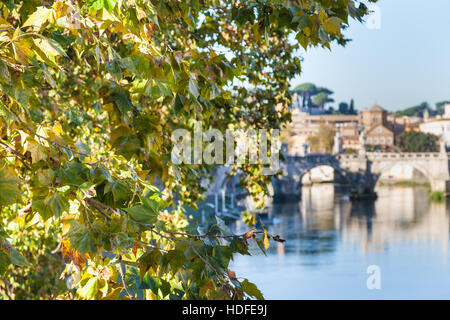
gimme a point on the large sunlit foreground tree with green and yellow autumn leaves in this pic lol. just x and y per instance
(90, 94)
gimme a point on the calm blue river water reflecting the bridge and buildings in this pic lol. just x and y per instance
(331, 243)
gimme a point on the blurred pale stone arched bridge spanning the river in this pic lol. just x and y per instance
(361, 171)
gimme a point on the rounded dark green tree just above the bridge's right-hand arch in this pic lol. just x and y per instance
(414, 141)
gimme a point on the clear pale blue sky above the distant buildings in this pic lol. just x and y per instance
(403, 63)
